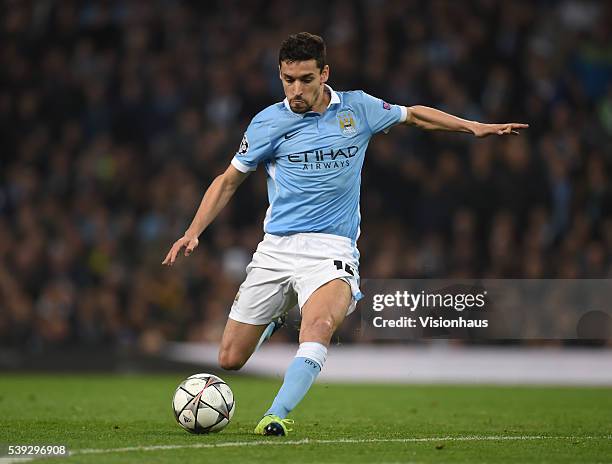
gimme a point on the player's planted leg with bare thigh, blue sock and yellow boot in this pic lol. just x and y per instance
(321, 316)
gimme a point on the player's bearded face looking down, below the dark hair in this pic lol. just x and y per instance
(303, 83)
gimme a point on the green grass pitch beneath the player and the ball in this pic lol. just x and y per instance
(110, 411)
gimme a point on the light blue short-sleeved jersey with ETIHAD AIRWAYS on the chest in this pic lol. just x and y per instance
(313, 161)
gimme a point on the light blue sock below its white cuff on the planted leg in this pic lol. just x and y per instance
(300, 375)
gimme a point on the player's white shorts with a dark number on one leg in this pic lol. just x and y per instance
(286, 271)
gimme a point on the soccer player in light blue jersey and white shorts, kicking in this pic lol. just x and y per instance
(312, 146)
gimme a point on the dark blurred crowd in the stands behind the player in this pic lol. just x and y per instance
(116, 115)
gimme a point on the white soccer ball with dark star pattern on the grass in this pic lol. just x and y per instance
(203, 403)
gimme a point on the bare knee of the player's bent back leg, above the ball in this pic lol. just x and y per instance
(238, 343)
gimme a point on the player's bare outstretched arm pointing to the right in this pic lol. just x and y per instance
(428, 118)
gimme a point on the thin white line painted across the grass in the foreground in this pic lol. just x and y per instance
(306, 441)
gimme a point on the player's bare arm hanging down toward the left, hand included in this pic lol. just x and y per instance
(214, 200)
